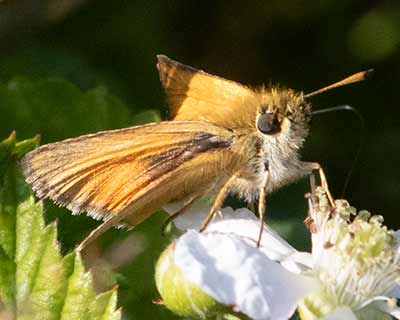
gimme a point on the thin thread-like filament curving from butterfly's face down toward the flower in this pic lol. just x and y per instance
(360, 142)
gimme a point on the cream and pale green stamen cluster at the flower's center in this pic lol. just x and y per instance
(356, 257)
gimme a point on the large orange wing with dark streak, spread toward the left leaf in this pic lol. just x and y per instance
(134, 170)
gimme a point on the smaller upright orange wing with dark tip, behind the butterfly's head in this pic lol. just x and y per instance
(195, 95)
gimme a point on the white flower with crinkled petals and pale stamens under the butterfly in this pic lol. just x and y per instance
(353, 271)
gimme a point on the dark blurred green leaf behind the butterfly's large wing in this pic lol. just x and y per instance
(57, 109)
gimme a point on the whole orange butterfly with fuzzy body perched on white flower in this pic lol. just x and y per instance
(222, 138)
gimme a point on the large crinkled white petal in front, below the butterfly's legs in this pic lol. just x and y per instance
(238, 274)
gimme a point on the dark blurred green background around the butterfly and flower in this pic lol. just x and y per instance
(69, 67)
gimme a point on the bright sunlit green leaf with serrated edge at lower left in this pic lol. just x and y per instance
(36, 282)
